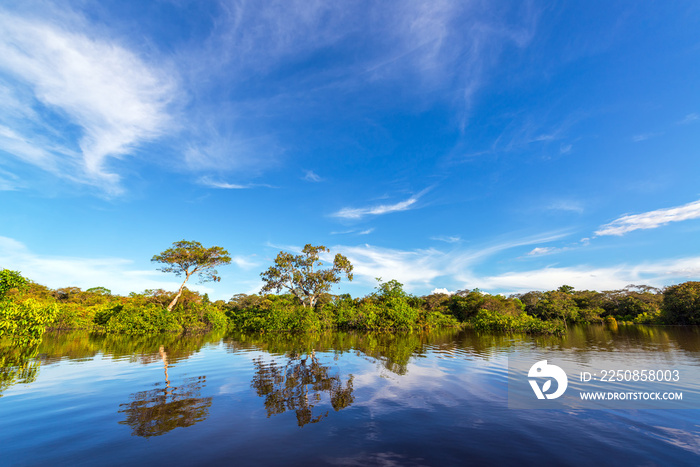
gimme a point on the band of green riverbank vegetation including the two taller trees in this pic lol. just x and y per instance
(27, 309)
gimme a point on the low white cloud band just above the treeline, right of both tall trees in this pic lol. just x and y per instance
(428, 269)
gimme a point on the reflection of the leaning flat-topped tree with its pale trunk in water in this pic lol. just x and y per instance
(158, 411)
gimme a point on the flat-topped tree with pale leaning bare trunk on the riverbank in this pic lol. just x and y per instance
(189, 258)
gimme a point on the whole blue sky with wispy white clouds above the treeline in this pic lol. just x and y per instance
(509, 146)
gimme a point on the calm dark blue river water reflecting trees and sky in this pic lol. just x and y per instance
(341, 399)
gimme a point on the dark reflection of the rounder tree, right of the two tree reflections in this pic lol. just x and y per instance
(299, 386)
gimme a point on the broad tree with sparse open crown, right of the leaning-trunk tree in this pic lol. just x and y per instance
(298, 274)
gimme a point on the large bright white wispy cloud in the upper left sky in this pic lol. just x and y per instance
(115, 98)
